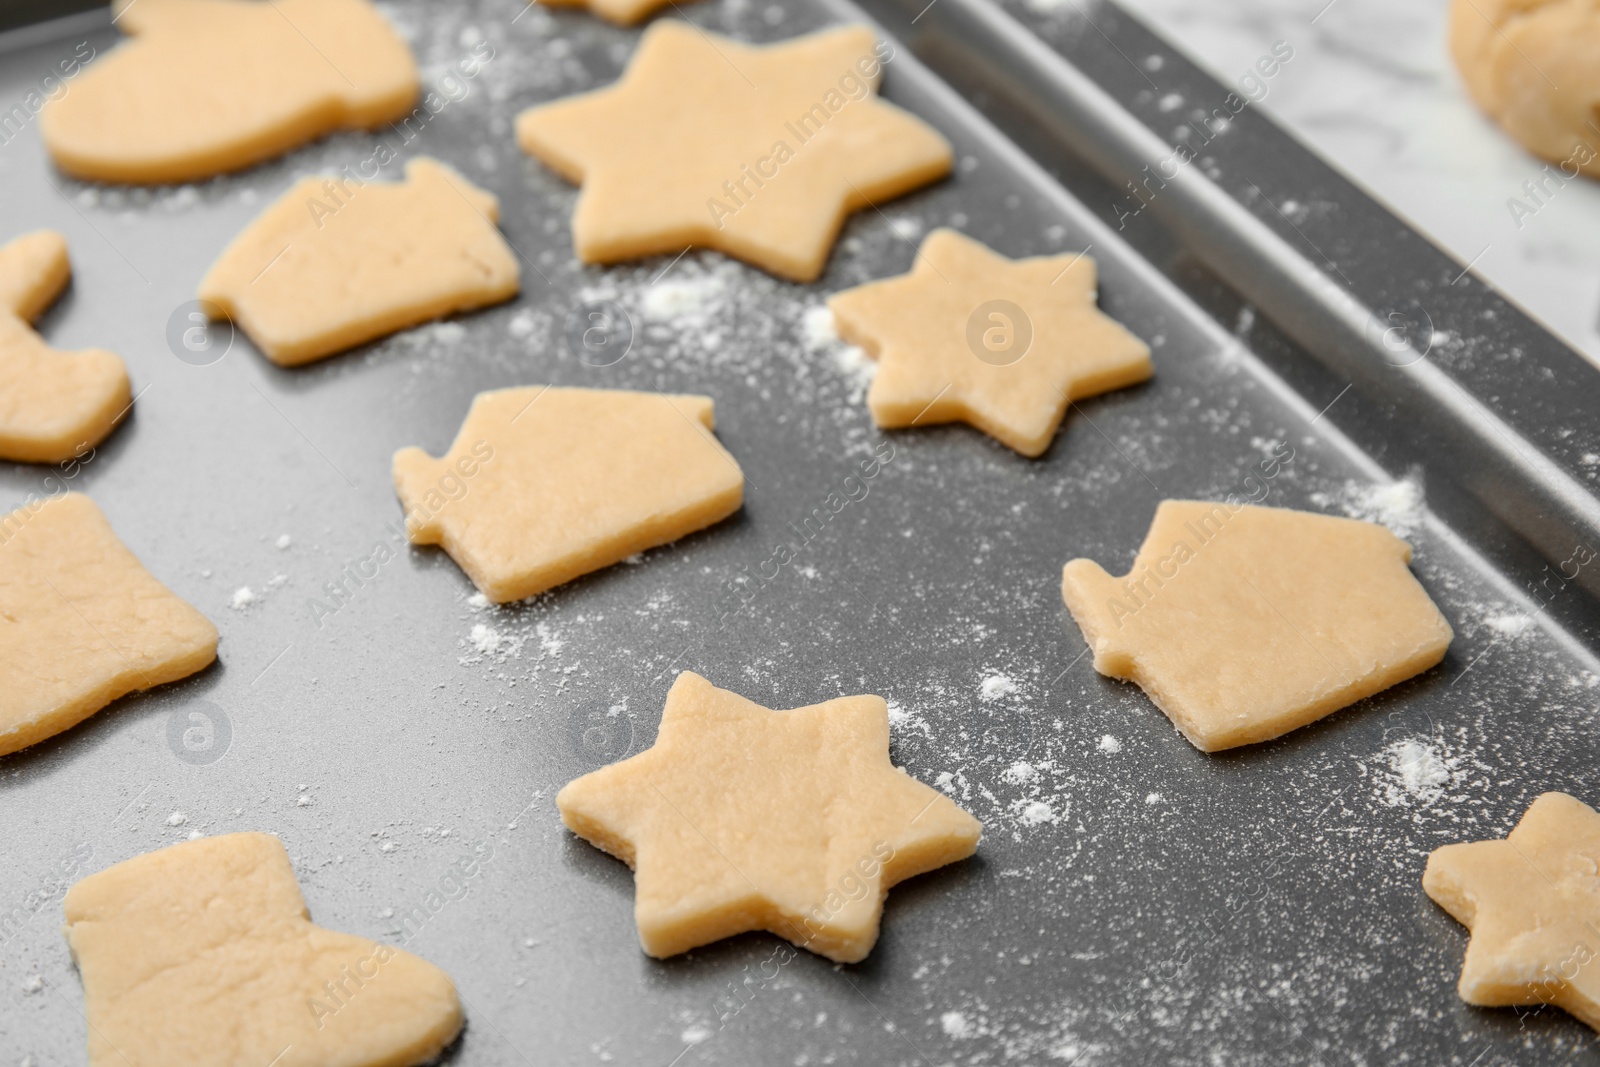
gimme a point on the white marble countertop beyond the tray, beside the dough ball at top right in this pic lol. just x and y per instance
(1374, 90)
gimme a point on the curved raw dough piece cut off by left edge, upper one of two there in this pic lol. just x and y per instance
(54, 406)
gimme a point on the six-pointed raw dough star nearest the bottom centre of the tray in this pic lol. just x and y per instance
(743, 818)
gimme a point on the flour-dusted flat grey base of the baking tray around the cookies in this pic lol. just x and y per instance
(1252, 908)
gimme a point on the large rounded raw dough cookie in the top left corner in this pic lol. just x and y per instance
(214, 86)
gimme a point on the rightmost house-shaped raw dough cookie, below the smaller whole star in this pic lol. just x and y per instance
(1246, 623)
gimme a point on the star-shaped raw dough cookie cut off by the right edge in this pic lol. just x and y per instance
(1534, 908)
